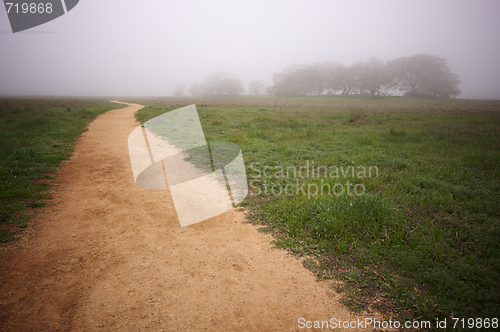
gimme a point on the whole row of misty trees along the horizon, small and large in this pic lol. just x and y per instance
(420, 75)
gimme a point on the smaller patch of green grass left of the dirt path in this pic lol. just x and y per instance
(35, 136)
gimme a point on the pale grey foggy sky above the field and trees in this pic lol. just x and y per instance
(145, 48)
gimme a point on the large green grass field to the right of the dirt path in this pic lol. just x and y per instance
(420, 238)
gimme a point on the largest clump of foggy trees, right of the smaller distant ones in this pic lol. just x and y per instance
(420, 75)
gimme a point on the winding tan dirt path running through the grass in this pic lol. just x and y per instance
(112, 256)
